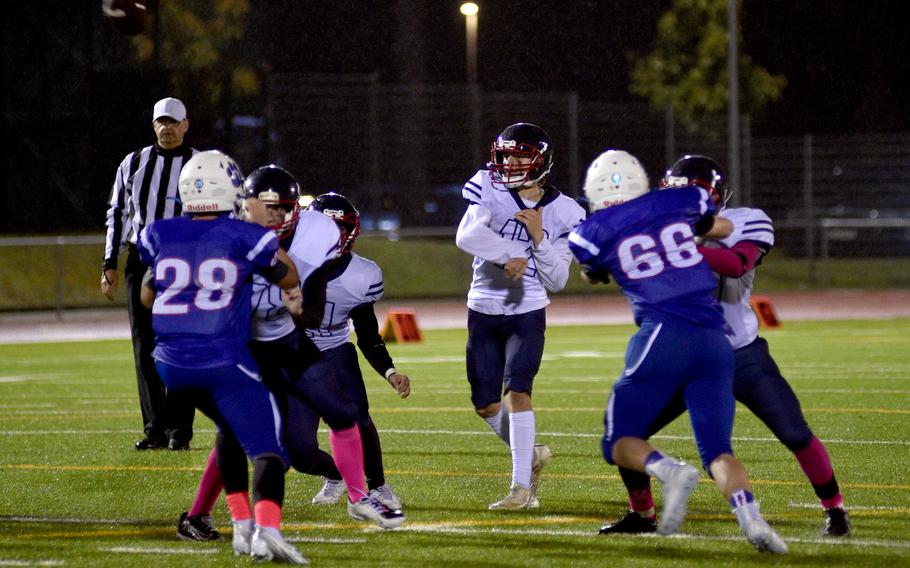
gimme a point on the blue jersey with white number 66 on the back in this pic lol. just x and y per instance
(647, 245)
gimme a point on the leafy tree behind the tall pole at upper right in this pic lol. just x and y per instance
(688, 68)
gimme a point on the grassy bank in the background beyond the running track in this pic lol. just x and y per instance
(413, 268)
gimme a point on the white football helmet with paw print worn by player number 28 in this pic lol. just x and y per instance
(210, 182)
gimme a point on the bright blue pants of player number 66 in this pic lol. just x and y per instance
(667, 358)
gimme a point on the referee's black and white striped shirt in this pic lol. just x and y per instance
(145, 190)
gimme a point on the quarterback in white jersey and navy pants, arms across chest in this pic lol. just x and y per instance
(517, 228)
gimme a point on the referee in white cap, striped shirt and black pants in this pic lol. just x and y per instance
(145, 189)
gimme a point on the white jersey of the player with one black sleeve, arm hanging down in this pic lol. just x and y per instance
(360, 282)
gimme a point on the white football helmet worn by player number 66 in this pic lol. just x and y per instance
(614, 177)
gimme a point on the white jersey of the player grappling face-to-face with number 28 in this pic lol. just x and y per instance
(316, 240)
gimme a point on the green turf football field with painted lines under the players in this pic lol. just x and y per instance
(73, 491)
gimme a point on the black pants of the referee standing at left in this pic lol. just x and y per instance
(165, 417)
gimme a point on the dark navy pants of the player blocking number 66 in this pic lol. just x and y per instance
(760, 387)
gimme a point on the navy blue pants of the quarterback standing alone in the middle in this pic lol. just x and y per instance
(503, 353)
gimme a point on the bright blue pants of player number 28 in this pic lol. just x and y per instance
(236, 400)
